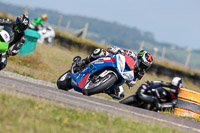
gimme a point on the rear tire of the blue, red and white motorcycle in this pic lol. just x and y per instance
(64, 81)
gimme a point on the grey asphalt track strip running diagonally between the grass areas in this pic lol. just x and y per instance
(50, 92)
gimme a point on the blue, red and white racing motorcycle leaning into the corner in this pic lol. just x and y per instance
(100, 76)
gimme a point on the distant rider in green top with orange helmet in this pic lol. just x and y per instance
(38, 22)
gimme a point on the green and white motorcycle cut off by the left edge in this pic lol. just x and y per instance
(6, 36)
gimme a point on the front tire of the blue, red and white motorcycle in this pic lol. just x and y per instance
(95, 89)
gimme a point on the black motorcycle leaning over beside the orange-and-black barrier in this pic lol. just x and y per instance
(163, 98)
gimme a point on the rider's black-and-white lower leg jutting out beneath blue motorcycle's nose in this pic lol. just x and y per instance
(117, 93)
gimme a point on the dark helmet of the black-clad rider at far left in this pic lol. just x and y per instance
(21, 23)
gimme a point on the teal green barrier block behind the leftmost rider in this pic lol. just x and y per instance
(31, 41)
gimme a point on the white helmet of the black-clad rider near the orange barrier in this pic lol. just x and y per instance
(176, 84)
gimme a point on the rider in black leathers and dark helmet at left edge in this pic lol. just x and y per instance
(18, 27)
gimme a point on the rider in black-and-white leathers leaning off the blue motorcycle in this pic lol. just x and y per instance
(143, 62)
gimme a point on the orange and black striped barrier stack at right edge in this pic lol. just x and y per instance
(188, 104)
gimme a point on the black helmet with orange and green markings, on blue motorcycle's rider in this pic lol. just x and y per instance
(144, 60)
